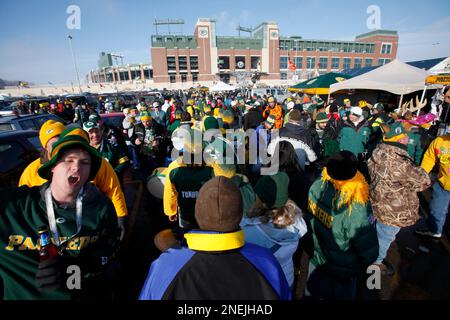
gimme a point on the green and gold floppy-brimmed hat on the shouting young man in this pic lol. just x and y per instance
(70, 139)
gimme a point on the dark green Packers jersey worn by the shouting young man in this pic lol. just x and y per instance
(23, 211)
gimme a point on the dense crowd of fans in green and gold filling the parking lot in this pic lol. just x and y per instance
(250, 182)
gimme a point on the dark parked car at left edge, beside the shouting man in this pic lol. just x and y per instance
(17, 150)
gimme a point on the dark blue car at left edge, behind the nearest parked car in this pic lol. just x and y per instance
(26, 122)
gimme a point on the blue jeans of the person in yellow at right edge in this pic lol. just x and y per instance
(438, 208)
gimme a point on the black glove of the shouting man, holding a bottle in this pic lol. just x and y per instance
(48, 276)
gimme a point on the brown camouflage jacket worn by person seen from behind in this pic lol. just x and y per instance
(395, 181)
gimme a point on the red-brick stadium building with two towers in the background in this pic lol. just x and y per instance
(204, 56)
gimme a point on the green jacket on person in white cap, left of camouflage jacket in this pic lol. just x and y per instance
(353, 138)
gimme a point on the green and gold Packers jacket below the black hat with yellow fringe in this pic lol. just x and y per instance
(344, 243)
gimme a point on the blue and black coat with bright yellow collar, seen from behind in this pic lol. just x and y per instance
(215, 266)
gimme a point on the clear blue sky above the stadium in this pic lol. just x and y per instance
(34, 47)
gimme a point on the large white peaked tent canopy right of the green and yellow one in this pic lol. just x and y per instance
(395, 77)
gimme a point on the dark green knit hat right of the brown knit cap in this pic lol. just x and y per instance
(273, 190)
